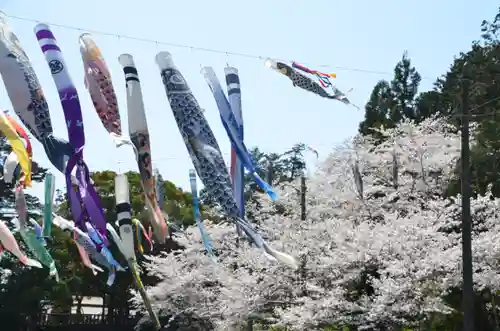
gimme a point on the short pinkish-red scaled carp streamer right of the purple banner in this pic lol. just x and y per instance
(100, 86)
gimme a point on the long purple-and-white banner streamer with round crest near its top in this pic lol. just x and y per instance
(73, 115)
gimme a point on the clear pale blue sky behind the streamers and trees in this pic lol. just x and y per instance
(362, 34)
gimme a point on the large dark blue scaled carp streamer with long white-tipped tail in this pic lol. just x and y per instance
(204, 150)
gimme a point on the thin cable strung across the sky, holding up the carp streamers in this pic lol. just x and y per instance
(201, 49)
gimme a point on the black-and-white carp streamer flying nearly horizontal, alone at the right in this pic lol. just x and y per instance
(307, 83)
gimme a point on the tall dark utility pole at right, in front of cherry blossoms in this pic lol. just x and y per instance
(468, 285)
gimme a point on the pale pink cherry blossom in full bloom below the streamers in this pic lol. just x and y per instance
(380, 249)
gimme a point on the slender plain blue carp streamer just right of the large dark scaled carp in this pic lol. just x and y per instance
(232, 129)
